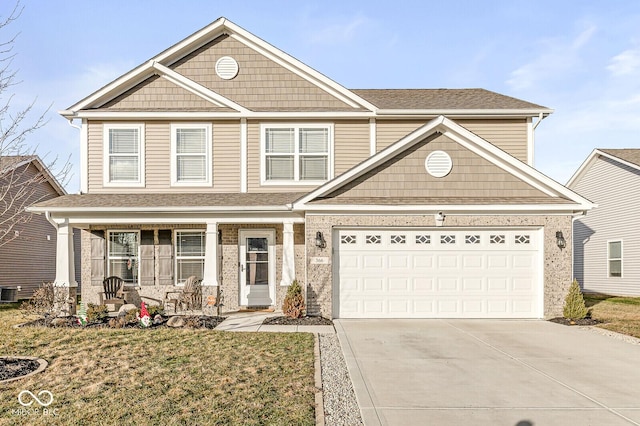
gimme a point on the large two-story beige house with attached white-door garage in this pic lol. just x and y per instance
(225, 158)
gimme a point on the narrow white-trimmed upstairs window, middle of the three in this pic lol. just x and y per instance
(191, 154)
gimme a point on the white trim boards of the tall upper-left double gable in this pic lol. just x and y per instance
(161, 65)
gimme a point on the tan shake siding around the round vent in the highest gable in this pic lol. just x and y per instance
(261, 84)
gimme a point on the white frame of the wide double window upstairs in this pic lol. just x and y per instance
(263, 167)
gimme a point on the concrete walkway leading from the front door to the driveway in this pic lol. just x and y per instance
(252, 321)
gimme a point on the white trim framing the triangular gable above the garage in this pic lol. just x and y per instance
(541, 192)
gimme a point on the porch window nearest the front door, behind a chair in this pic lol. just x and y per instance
(189, 255)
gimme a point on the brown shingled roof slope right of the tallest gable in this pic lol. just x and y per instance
(442, 99)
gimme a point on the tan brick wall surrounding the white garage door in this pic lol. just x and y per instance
(557, 263)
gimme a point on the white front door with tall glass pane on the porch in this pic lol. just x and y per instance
(257, 272)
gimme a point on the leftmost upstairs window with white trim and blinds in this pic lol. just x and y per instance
(124, 154)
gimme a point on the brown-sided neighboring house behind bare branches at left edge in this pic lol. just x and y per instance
(27, 241)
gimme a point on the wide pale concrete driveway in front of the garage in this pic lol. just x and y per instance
(490, 372)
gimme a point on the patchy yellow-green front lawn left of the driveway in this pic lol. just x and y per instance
(160, 376)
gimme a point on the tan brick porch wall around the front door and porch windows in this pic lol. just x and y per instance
(230, 279)
